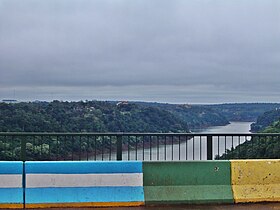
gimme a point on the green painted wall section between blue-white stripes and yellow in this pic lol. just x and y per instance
(187, 182)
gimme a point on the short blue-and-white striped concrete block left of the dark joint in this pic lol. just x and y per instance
(11, 188)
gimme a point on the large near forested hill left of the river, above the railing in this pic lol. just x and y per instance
(90, 116)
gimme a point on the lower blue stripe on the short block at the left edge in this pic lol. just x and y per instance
(11, 195)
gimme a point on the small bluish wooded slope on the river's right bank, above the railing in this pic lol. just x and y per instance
(265, 120)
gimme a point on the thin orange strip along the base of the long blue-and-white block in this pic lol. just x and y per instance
(93, 204)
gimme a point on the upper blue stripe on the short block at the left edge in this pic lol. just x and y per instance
(9, 167)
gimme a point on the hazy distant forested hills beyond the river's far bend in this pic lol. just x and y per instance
(216, 114)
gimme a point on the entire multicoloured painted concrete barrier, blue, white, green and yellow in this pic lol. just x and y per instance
(134, 183)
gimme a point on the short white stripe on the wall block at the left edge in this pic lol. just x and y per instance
(10, 181)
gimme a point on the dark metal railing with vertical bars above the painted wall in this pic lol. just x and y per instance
(134, 146)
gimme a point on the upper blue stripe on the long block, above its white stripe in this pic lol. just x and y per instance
(83, 167)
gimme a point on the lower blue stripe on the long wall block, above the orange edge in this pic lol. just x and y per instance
(77, 195)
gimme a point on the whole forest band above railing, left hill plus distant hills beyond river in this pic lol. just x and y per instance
(101, 116)
